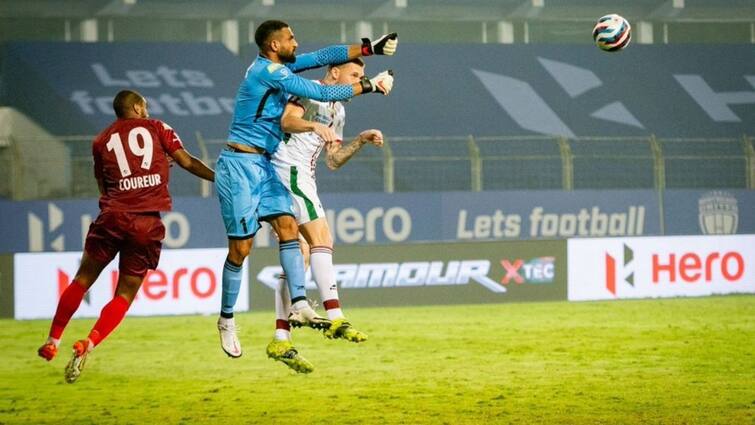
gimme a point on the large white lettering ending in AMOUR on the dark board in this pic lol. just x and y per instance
(415, 273)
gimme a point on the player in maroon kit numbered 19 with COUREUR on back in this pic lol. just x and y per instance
(132, 169)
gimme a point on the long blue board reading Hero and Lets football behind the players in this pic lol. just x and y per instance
(370, 218)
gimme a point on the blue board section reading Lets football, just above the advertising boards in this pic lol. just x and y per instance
(549, 214)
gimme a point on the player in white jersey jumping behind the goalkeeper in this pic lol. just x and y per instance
(316, 126)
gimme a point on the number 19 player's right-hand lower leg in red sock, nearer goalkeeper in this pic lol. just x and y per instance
(110, 317)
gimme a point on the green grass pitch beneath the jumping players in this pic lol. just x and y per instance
(677, 361)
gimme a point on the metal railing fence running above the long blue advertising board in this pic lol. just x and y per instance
(407, 164)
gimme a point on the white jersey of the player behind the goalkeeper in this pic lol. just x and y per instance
(302, 149)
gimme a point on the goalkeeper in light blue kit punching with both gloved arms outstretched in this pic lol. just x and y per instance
(249, 189)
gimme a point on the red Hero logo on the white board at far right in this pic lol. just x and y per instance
(672, 268)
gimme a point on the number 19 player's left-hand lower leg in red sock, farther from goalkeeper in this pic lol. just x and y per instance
(69, 302)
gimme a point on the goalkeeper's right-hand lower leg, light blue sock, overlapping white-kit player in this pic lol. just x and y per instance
(291, 260)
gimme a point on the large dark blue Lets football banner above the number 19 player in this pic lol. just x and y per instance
(69, 87)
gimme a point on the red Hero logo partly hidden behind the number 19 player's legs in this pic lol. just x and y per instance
(202, 284)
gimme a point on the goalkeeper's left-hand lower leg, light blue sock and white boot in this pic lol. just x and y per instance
(238, 250)
